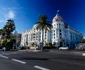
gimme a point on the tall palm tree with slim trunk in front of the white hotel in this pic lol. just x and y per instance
(43, 24)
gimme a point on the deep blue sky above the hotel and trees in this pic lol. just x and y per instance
(25, 13)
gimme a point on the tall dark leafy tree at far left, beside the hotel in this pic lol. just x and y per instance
(6, 34)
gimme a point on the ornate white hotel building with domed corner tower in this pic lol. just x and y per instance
(60, 31)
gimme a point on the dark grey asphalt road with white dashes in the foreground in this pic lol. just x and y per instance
(24, 60)
